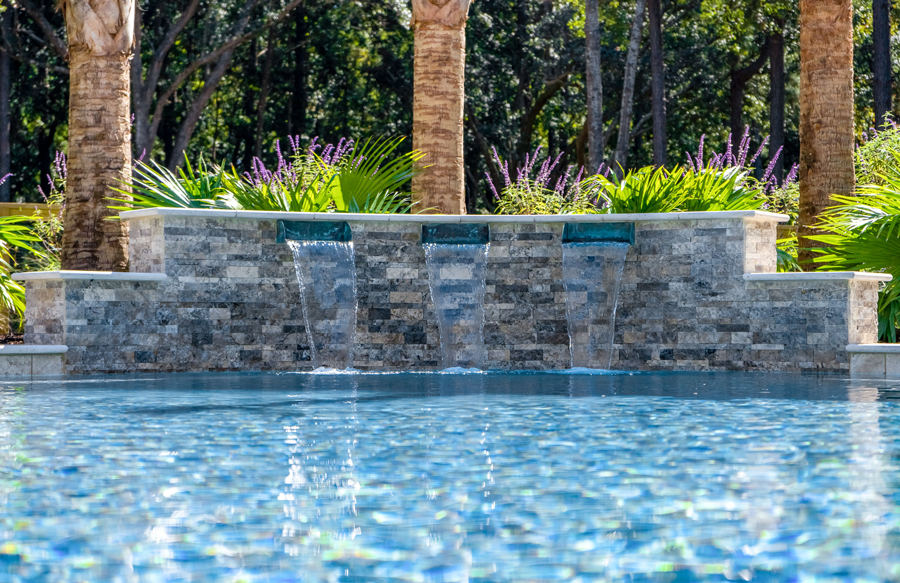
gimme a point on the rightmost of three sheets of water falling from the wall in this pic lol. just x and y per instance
(591, 276)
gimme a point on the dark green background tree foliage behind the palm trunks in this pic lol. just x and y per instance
(229, 78)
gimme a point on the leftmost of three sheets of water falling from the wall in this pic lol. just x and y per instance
(326, 271)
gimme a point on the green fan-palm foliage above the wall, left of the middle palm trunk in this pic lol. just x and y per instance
(366, 177)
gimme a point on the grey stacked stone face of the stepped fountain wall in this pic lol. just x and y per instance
(231, 299)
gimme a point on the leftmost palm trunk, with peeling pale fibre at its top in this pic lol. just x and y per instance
(100, 35)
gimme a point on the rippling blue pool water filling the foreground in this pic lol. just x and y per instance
(438, 477)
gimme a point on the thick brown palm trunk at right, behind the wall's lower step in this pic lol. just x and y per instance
(826, 112)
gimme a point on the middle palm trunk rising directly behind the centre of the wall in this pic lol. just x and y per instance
(438, 100)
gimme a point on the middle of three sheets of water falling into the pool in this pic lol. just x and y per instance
(456, 275)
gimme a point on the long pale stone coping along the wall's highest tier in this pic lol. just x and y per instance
(605, 218)
